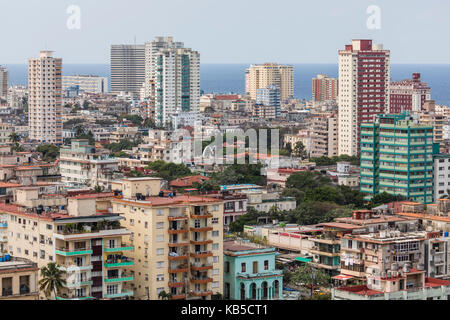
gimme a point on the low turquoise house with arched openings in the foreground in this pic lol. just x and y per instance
(249, 272)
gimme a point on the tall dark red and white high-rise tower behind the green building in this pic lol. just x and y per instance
(364, 75)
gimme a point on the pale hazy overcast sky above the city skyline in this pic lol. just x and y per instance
(226, 31)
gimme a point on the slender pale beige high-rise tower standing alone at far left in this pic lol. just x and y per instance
(45, 98)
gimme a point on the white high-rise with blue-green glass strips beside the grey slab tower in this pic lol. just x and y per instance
(173, 76)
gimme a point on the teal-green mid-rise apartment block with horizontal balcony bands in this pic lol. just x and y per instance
(397, 158)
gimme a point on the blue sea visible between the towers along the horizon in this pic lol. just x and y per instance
(229, 78)
